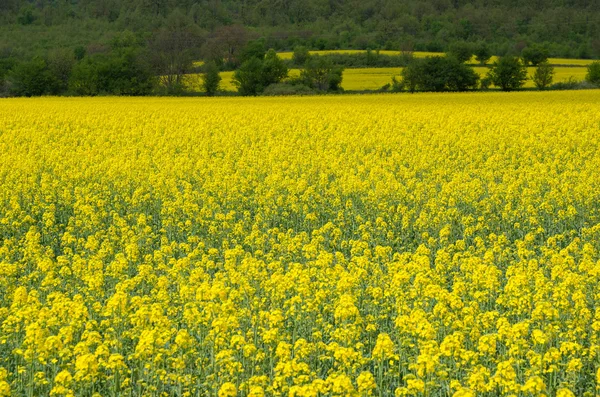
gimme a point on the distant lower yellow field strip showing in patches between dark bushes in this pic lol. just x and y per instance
(375, 78)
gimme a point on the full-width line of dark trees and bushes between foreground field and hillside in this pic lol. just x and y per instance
(131, 63)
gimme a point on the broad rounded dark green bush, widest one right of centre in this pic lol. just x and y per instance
(439, 74)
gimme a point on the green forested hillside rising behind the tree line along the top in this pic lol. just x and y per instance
(568, 28)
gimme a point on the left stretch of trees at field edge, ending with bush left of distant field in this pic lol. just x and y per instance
(134, 65)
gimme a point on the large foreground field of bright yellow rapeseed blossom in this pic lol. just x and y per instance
(390, 245)
